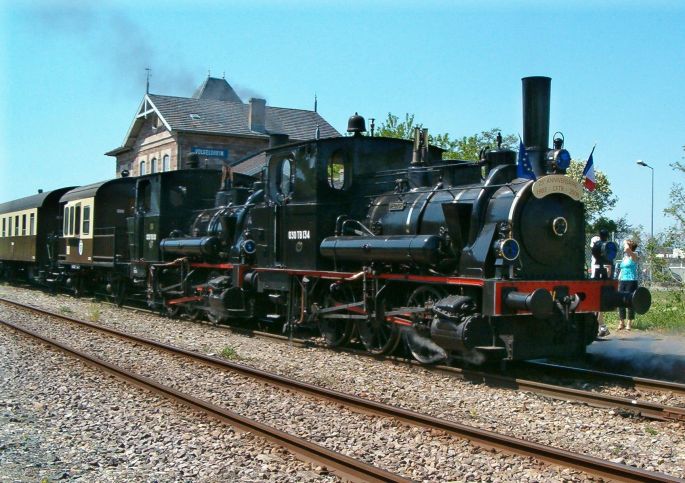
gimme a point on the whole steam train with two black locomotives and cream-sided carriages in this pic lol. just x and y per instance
(370, 240)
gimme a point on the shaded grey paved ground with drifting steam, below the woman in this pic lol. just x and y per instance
(654, 356)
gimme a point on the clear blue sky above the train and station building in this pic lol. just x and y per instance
(72, 75)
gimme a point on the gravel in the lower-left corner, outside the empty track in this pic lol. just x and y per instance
(61, 420)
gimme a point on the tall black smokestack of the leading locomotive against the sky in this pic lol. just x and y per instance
(536, 94)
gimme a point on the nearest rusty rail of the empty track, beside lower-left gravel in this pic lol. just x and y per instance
(344, 466)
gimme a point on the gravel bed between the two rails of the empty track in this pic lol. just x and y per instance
(415, 453)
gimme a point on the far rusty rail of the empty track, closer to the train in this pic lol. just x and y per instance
(488, 439)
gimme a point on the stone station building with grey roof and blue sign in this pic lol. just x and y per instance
(212, 128)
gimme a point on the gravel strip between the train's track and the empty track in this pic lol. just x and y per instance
(651, 445)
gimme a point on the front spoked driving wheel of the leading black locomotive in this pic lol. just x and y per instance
(417, 338)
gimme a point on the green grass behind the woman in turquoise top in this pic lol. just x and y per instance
(667, 313)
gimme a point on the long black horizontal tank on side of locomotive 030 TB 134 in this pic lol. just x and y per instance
(418, 249)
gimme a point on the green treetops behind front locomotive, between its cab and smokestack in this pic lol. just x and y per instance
(466, 148)
